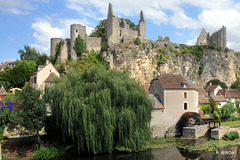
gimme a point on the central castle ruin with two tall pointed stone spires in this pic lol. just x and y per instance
(118, 31)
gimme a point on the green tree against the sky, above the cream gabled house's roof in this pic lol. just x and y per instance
(30, 54)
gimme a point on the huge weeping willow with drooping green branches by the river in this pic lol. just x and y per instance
(99, 110)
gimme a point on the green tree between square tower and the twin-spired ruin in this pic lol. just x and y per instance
(99, 30)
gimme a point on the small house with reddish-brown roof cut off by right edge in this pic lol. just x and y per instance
(232, 95)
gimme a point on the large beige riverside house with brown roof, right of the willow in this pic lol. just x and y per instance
(172, 95)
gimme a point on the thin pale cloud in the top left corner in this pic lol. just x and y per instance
(19, 7)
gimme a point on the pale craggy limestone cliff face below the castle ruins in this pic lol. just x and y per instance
(143, 61)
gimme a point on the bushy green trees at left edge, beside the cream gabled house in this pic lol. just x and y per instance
(19, 74)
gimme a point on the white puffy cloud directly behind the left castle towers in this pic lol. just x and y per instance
(46, 28)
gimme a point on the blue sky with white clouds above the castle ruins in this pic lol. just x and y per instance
(34, 22)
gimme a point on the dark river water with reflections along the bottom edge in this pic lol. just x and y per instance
(169, 153)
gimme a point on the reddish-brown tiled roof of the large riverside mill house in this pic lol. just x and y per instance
(175, 81)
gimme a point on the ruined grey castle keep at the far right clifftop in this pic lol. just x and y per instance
(219, 38)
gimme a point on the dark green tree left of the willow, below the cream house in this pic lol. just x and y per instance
(33, 109)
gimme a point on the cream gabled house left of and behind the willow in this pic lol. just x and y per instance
(43, 76)
